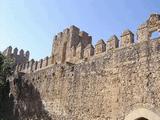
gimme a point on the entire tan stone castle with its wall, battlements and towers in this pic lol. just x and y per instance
(113, 80)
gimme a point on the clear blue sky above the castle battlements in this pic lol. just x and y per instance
(31, 24)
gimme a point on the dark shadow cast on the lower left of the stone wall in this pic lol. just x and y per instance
(27, 101)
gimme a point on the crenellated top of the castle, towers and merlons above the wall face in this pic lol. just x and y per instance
(75, 46)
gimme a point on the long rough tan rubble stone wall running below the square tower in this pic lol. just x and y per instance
(120, 83)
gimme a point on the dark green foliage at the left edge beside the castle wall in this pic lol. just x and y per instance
(6, 65)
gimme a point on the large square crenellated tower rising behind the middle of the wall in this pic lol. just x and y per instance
(66, 42)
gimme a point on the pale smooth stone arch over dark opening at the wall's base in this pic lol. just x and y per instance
(142, 114)
